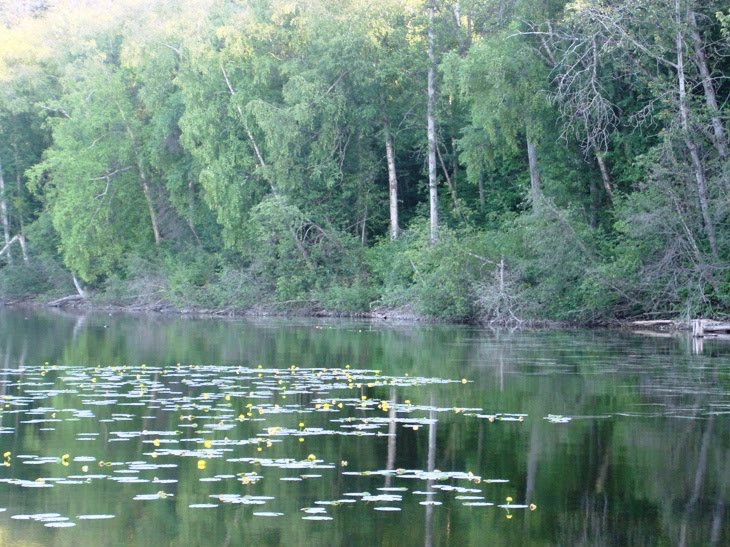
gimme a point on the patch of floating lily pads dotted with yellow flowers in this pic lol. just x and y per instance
(200, 422)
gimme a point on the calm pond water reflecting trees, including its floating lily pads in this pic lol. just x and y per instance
(174, 431)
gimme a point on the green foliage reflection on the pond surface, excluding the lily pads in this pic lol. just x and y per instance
(614, 472)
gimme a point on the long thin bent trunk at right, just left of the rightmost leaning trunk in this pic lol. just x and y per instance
(699, 170)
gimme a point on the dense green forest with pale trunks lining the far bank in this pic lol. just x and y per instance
(489, 161)
